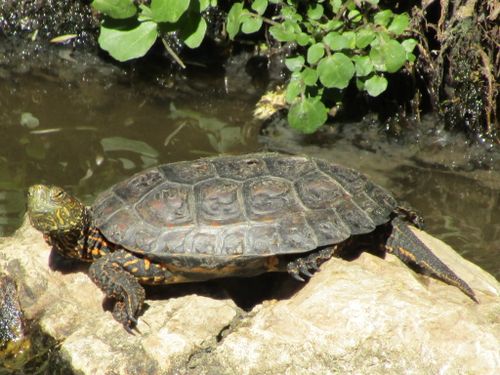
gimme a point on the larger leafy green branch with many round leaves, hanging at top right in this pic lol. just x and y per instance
(338, 41)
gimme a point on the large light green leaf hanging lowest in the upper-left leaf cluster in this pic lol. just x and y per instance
(128, 44)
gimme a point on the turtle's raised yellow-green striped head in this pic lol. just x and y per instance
(53, 210)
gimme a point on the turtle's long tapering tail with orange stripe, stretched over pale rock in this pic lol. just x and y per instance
(403, 243)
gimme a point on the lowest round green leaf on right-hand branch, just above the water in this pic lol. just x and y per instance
(307, 115)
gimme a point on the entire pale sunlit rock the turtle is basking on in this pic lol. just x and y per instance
(369, 315)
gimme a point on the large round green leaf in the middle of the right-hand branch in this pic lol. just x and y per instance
(335, 71)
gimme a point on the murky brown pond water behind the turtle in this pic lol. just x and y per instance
(84, 125)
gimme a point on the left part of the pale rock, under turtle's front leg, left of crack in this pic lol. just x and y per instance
(69, 308)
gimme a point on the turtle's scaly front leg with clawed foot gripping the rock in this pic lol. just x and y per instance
(110, 274)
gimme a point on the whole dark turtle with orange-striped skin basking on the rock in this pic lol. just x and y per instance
(224, 216)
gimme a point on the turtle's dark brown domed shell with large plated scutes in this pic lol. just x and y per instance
(240, 206)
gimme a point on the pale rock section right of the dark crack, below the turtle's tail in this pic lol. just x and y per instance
(371, 316)
